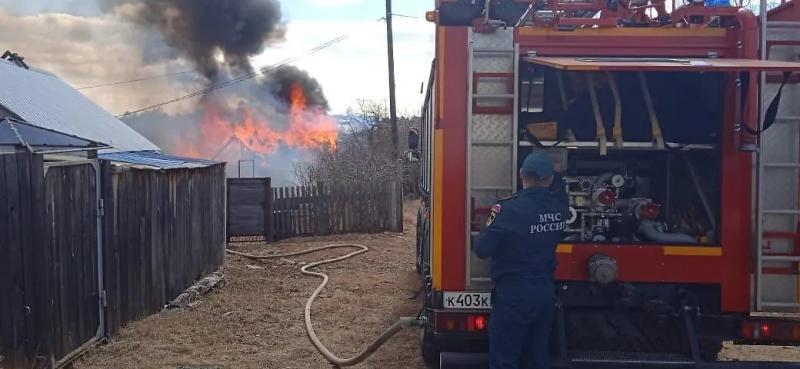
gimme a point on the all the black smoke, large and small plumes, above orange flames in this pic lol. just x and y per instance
(237, 29)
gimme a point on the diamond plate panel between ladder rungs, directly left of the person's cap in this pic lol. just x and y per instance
(491, 166)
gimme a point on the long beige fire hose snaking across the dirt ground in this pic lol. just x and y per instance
(402, 323)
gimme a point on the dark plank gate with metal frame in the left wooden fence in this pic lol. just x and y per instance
(73, 213)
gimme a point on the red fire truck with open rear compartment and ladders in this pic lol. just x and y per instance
(680, 158)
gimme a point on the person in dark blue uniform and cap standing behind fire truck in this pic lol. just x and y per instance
(520, 238)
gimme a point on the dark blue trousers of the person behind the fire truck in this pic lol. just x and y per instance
(519, 327)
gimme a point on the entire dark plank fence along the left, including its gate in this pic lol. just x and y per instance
(157, 231)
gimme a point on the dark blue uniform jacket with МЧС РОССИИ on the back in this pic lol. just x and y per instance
(523, 231)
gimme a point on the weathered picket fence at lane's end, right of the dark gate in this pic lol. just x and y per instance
(324, 210)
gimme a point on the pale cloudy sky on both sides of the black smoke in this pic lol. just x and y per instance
(75, 40)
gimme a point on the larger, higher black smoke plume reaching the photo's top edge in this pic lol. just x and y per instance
(202, 29)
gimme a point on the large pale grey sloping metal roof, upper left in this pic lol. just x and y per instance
(44, 100)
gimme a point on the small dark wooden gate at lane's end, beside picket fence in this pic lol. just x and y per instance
(249, 208)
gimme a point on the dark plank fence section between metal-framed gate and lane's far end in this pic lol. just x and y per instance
(163, 230)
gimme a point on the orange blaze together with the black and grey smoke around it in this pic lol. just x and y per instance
(270, 116)
